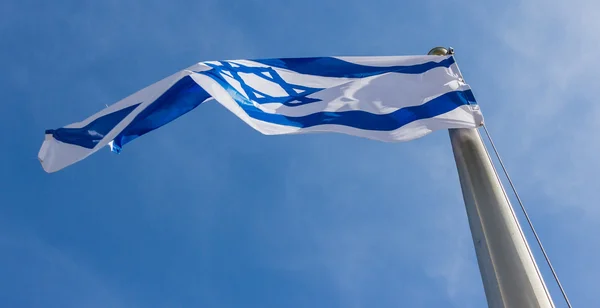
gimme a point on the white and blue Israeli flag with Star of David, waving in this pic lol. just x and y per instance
(395, 98)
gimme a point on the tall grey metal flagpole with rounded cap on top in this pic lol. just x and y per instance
(508, 269)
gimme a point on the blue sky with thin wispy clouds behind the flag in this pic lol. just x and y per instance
(206, 212)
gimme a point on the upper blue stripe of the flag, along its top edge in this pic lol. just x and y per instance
(334, 67)
